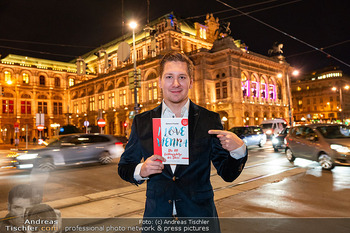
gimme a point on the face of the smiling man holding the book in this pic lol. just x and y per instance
(175, 82)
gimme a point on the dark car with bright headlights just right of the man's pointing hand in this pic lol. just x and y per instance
(251, 135)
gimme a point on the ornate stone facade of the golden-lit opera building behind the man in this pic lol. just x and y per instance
(243, 87)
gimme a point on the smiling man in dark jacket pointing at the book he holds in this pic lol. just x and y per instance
(181, 190)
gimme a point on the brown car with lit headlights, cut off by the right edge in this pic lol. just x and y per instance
(329, 144)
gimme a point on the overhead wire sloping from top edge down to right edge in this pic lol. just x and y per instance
(284, 33)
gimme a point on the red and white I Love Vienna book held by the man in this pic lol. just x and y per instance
(170, 139)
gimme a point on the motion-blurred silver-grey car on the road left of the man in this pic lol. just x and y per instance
(69, 150)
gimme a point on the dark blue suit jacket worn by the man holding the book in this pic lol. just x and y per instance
(190, 185)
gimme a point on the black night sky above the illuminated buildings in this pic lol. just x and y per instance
(64, 29)
